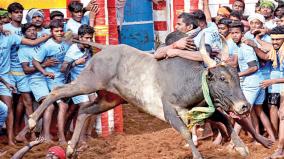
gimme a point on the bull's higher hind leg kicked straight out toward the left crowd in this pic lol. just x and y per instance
(83, 85)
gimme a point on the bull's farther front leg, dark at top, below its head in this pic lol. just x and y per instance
(238, 143)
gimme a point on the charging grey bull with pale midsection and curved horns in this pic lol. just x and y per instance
(166, 89)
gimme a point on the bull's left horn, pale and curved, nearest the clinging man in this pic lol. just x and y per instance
(205, 56)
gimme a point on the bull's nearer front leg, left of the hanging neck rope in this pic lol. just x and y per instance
(176, 122)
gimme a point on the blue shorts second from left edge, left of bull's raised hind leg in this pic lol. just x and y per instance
(20, 82)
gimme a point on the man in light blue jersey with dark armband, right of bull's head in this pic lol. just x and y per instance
(250, 77)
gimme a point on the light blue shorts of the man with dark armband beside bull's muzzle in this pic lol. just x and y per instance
(254, 95)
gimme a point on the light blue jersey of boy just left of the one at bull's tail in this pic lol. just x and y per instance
(54, 50)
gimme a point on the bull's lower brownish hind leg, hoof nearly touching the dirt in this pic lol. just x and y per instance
(102, 106)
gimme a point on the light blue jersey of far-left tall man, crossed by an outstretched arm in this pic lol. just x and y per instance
(15, 63)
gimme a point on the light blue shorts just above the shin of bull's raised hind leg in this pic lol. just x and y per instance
(39, 88)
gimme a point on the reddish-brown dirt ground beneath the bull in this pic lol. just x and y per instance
(145, 137)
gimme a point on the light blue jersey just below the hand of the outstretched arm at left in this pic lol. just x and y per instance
(26, 54)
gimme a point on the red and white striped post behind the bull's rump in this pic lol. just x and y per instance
(106, 33)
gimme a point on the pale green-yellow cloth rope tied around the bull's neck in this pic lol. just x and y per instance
(197, 115)
